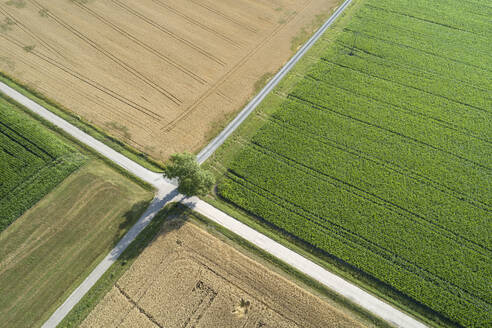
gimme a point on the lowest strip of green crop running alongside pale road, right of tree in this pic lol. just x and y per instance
(428, 292)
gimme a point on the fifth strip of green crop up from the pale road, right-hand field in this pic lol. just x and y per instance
(386, 120)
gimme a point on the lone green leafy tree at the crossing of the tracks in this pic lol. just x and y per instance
(192, 180)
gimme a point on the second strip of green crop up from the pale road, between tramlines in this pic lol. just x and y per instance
(335, 199)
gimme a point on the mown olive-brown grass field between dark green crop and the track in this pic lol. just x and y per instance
(46, 252)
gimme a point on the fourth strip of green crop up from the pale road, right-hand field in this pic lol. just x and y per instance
(388, 148)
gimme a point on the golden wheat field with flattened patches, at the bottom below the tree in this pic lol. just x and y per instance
(190, 278)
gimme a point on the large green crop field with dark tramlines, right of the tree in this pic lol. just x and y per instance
(381, 154)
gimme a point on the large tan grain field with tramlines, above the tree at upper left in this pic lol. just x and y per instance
(162, 75)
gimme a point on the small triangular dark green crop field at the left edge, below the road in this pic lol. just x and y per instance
(33, 161)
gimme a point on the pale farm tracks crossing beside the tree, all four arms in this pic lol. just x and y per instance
(167, 192)
